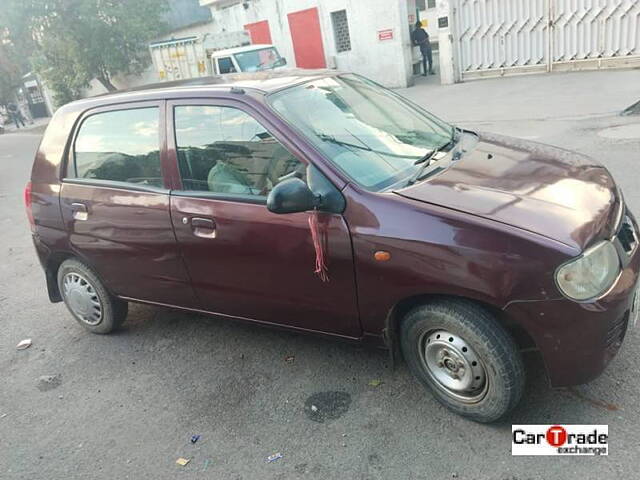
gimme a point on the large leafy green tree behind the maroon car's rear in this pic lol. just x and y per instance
(71, 42)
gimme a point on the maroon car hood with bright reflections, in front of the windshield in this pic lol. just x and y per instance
(554, 192)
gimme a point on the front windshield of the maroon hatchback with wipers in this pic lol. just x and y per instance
(373, 135)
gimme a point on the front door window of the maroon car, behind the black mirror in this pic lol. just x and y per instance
(225, 150)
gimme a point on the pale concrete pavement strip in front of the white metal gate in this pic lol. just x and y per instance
(530, 97)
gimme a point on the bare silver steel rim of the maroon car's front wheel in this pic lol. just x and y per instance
(453, 366)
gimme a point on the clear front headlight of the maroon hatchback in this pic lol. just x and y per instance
(591, 274)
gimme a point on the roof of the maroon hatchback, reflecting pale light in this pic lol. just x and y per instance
(264, 82)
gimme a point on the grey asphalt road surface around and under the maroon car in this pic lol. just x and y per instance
(79, 406)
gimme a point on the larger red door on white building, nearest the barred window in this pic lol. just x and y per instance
(307, 39)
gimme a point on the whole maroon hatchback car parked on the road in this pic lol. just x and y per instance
(323, 202)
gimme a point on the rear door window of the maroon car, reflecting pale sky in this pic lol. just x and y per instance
(120, 146)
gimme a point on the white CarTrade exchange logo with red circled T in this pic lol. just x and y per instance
(560, 440)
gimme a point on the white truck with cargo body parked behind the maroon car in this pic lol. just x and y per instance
(204, 55)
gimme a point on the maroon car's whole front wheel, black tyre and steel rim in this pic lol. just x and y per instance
(465, 357)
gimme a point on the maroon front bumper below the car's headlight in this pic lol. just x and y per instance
(578, 340)
